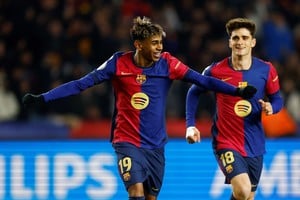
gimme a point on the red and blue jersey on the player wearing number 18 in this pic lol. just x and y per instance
(232, 131)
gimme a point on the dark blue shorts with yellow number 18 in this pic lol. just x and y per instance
(232, 163)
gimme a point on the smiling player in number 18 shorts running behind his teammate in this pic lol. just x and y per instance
(237, 134)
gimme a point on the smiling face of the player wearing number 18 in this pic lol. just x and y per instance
(241, 42)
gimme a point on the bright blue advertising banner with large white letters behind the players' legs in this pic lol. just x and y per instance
(87, 170)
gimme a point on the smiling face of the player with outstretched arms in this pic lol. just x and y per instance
(148, 50)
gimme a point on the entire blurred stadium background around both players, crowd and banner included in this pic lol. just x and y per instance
(44, 43)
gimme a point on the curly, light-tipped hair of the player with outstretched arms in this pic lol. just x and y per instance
(143, 28)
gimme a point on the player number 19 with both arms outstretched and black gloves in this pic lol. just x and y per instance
(141, 80)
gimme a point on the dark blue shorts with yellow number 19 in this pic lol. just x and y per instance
(138, 165)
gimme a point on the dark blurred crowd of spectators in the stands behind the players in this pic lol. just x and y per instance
(44, 43)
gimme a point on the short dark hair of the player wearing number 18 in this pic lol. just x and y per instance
(237, 23)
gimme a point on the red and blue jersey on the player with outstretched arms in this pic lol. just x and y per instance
(140, 96)
